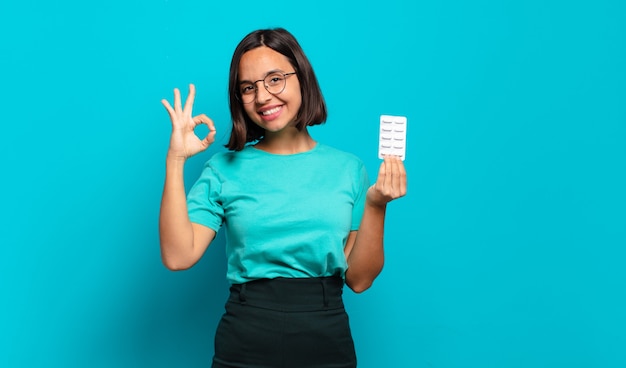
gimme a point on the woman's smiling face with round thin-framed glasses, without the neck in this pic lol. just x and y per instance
(272, 112)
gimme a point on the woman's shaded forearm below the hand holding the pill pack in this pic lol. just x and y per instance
(366, 257)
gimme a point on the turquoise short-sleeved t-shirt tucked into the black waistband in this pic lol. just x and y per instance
(284, 215)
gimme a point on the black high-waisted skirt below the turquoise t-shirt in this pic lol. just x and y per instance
(285, 323)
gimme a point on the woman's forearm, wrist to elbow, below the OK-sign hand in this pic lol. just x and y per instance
(175, 229)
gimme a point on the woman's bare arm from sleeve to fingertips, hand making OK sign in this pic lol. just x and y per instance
(182, 242)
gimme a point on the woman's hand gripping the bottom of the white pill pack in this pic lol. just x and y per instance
(390, 184)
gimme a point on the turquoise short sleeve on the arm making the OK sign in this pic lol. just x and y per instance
(203, 201)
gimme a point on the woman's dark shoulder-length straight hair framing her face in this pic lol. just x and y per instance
(313, 108)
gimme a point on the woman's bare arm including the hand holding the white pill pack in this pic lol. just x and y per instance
(364, 248)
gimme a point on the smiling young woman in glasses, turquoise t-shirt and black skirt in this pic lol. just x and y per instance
(300, 217)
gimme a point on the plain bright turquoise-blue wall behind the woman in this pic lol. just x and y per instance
(508, 250)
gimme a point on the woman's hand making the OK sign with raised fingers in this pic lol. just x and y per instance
(184, 142)
